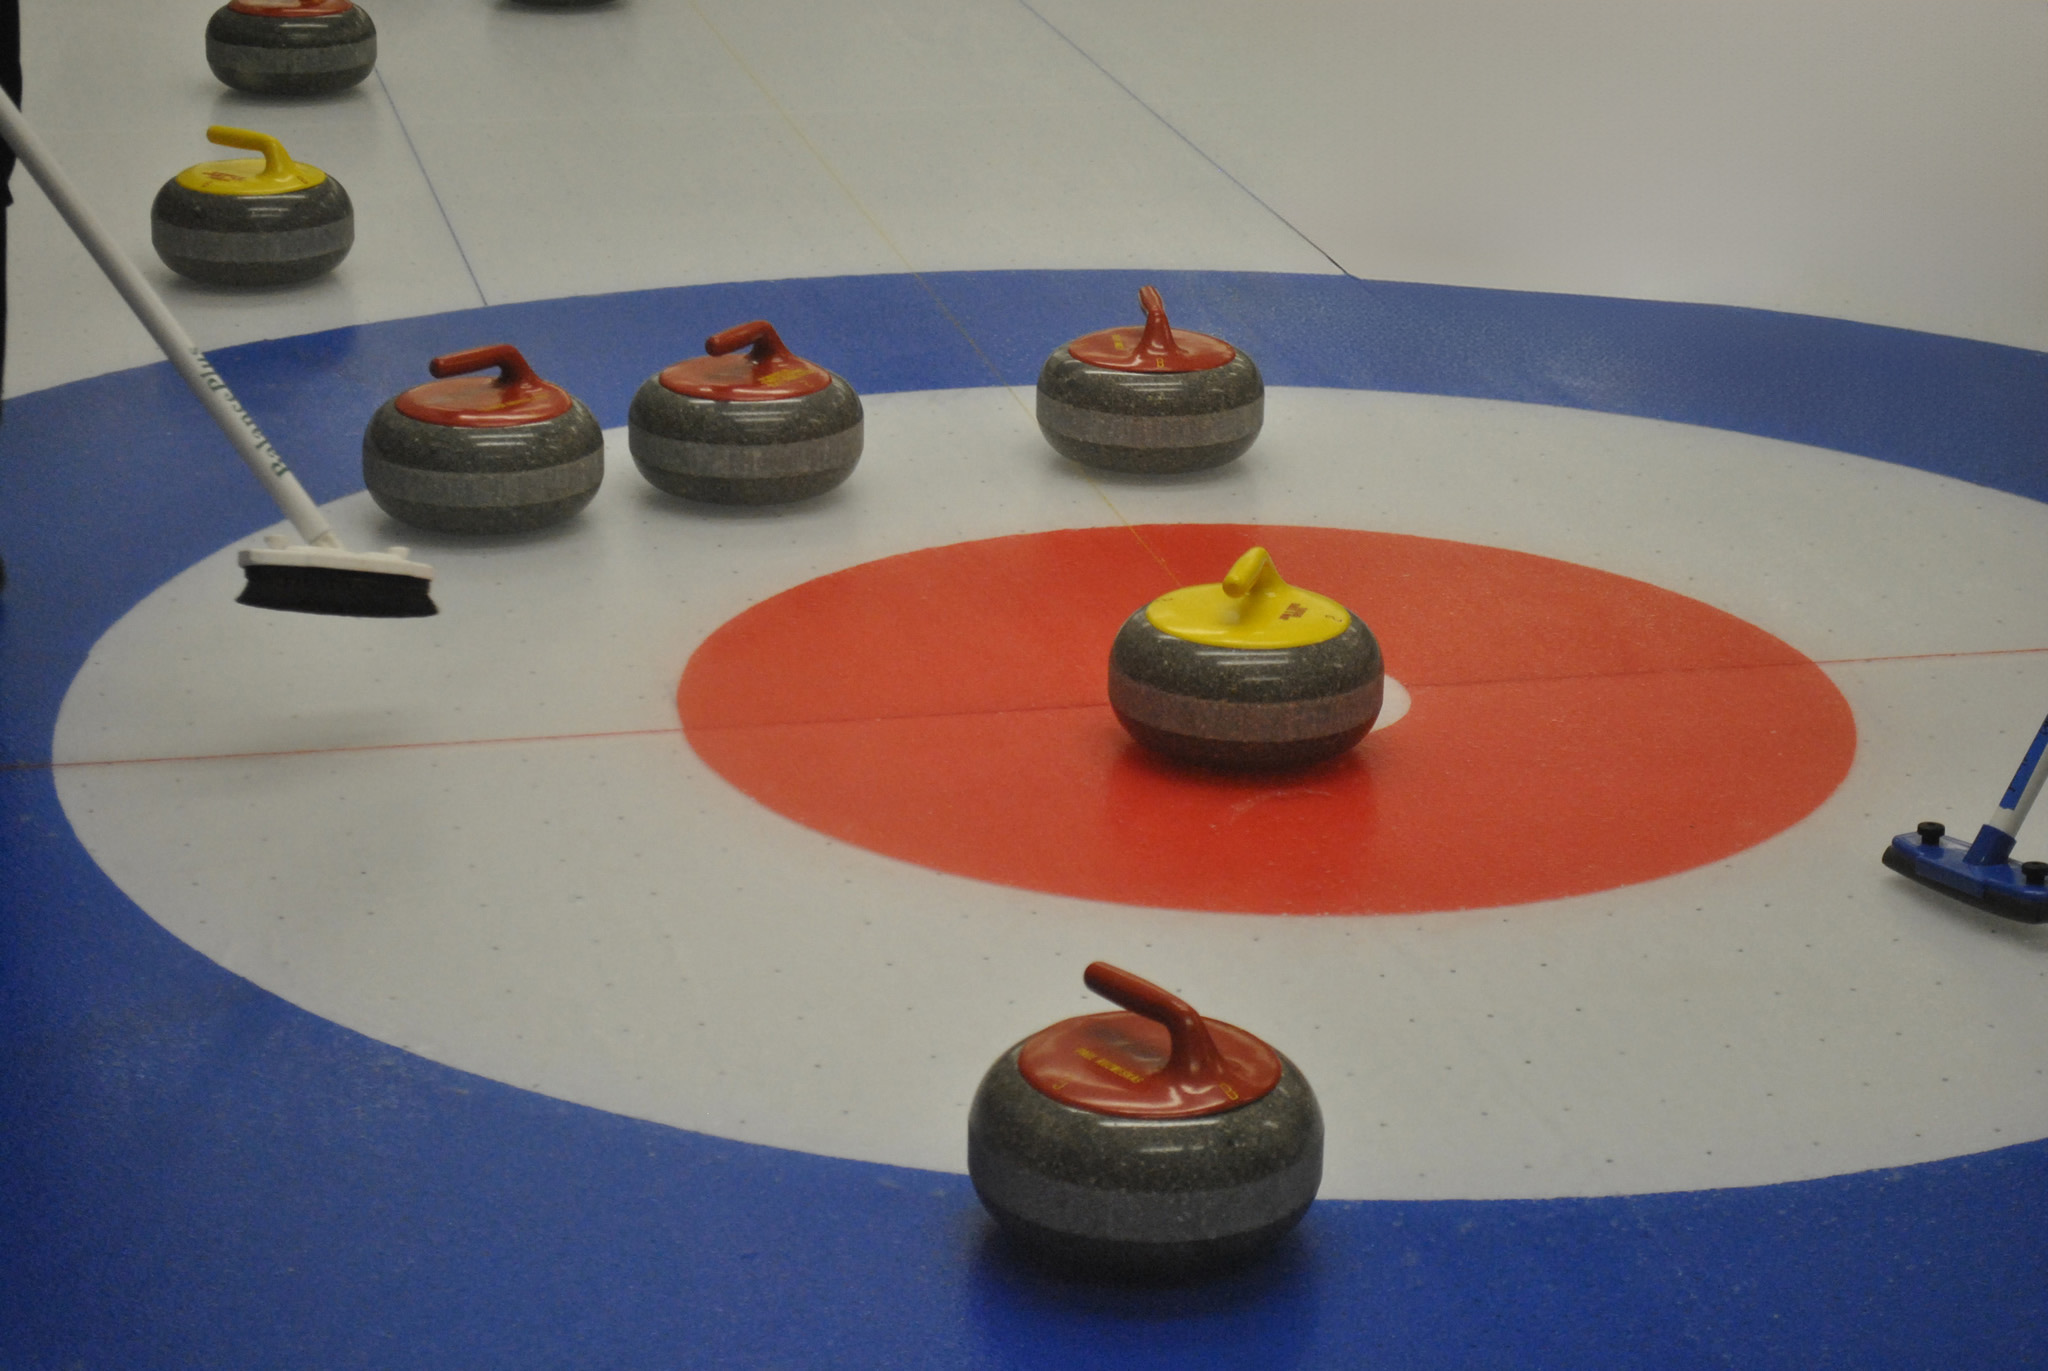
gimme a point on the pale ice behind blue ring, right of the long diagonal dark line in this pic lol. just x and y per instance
(1881, 161)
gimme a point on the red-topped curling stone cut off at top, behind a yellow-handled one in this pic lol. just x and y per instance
(292, 46)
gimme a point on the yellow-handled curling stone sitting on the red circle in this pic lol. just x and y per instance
(1246, 675)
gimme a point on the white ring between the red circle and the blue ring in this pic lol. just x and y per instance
(554, 892)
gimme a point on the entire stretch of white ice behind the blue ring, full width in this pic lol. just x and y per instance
(1879, 161)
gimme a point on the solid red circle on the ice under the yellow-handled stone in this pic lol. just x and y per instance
(1572, 731)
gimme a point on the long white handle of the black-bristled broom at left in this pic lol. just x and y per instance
(183, 354)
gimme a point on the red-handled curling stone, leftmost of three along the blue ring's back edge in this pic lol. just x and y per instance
(476, 454)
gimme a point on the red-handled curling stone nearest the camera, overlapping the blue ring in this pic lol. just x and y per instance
(1146, 1145)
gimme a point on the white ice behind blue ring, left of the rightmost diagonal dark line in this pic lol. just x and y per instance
(511, 153)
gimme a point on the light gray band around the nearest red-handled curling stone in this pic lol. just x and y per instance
(1166, 1216)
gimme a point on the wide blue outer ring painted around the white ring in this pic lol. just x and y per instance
(196, 1173)
